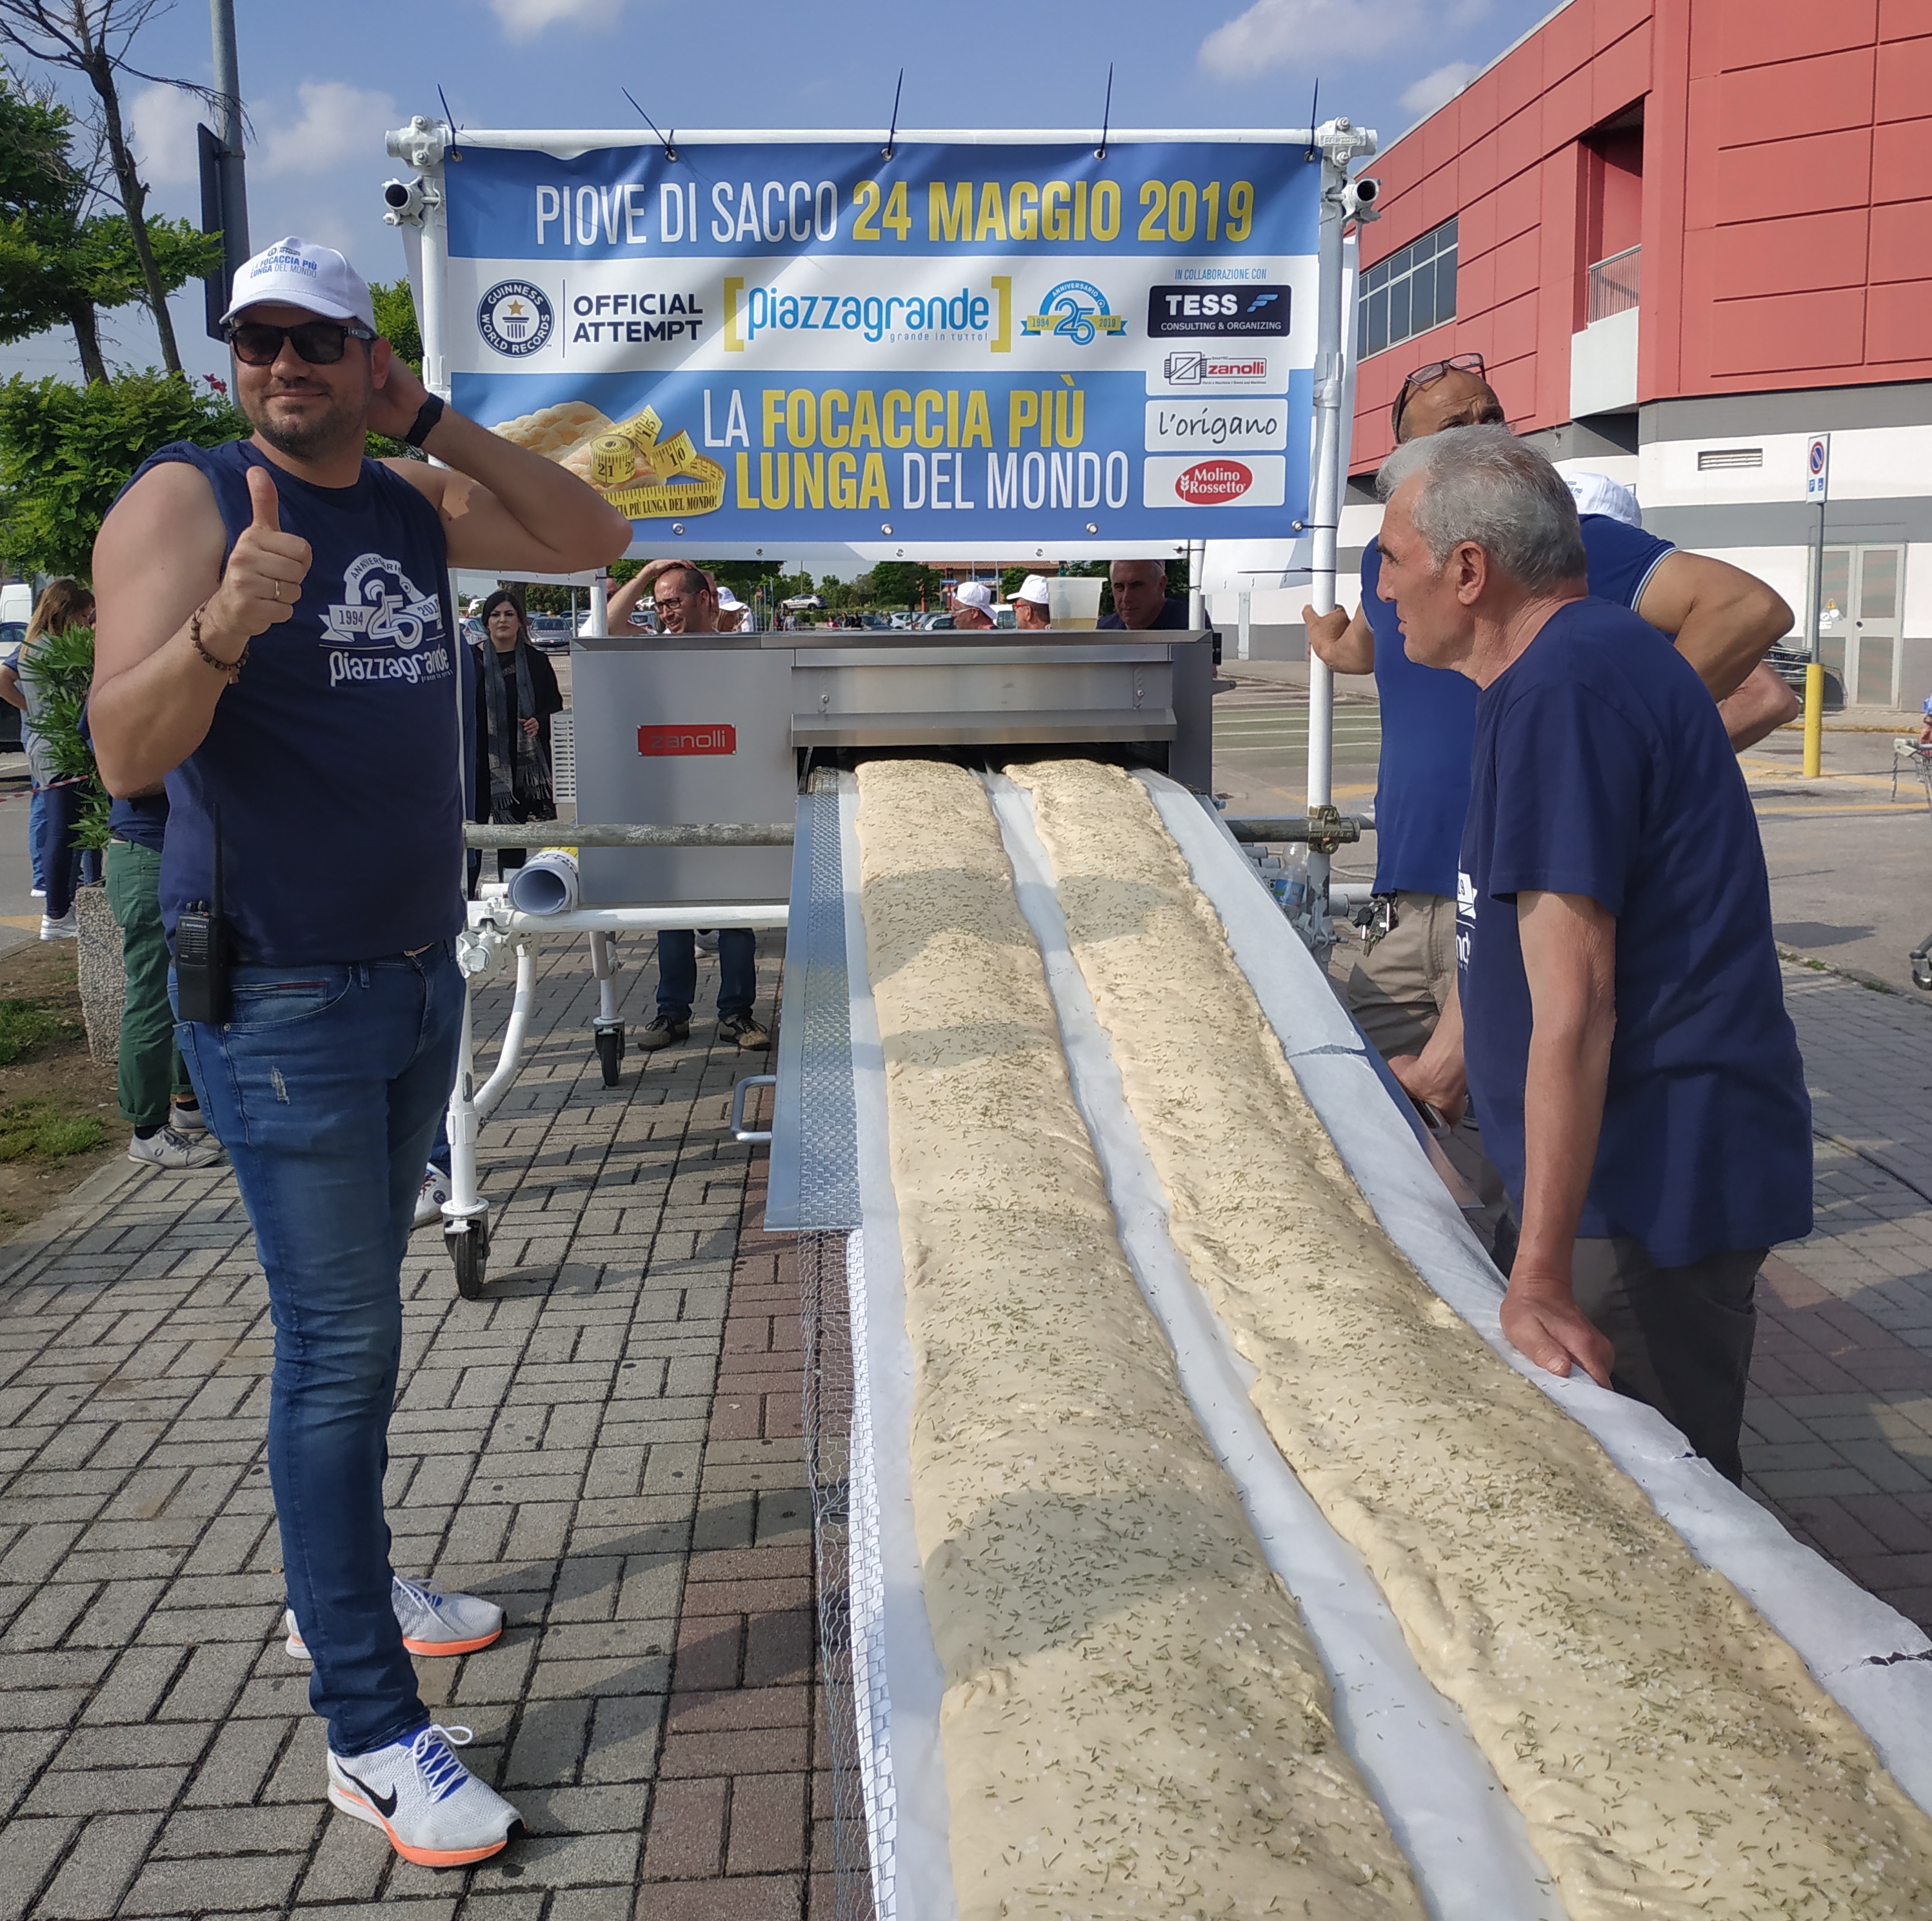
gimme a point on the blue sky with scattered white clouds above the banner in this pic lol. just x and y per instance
(322, 84)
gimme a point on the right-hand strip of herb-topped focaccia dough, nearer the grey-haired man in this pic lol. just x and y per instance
(1670, 1752)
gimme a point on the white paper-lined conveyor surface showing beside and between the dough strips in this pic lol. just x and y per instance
(1460, 1831)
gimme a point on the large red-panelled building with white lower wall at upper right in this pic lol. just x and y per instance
(1686, 235)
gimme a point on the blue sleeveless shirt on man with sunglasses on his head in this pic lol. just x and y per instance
(1429, 718)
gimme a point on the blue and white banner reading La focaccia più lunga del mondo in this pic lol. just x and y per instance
(1006, 349)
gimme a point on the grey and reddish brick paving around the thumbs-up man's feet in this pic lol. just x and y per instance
(610, 1445)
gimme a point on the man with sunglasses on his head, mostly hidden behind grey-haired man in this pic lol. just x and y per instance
(1720, 617)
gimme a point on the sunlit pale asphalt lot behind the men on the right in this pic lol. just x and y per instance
(1852, 869)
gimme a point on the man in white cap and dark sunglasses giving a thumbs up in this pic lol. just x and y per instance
(275, 643)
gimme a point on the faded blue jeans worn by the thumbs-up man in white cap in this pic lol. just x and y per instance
(326, 1087)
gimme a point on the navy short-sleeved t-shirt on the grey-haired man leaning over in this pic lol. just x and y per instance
(1603, 770)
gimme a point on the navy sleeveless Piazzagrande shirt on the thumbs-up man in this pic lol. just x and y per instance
(337, 757)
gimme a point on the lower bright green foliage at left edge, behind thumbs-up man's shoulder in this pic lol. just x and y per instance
(69, 451)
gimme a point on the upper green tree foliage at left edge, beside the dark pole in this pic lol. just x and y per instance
(59, 264)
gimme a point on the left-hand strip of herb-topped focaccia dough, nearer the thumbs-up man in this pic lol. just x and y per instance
(1135, 1723)
